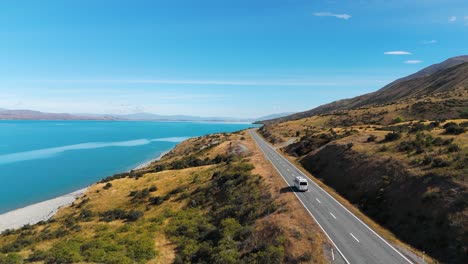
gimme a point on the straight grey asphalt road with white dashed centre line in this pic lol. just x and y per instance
(354, 241)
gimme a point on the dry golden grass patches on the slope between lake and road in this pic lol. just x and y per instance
(299, 228)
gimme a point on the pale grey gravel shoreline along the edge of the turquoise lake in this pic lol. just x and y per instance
(45, 210)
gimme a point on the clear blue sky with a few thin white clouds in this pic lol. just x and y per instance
(238, 58)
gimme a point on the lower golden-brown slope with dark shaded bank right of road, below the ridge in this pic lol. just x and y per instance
(410, 177)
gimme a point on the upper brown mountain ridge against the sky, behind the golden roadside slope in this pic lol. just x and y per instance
(440, 78)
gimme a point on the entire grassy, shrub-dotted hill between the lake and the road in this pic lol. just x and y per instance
(213, 199)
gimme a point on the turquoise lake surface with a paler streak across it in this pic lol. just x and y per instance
(40, 160)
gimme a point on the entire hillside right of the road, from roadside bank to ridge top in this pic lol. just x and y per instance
(404, 163)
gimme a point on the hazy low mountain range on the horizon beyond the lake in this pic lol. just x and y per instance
(6, 114)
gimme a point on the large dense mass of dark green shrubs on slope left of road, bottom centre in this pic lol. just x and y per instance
(217, 223)
